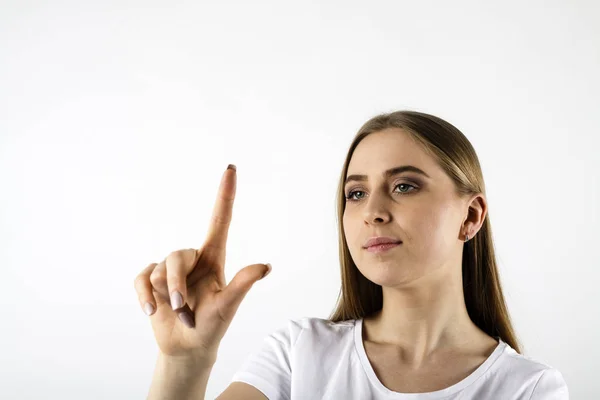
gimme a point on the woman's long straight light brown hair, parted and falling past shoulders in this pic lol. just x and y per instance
(359, 297)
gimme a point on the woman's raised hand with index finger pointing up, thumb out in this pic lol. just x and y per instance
(189, 303)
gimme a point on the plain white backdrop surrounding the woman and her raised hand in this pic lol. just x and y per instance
(118, 118)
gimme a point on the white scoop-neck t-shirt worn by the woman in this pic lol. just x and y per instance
(312, 358)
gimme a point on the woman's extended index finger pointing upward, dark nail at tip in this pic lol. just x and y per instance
(222, 211)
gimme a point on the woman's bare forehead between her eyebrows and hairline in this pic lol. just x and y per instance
(387, 149)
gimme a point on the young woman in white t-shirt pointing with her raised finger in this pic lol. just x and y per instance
(421, 313)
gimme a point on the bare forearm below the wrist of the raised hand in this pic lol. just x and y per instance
(179, 379)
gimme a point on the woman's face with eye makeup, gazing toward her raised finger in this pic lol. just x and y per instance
(423, 212)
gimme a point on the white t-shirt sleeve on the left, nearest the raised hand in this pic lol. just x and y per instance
(269, 368)
